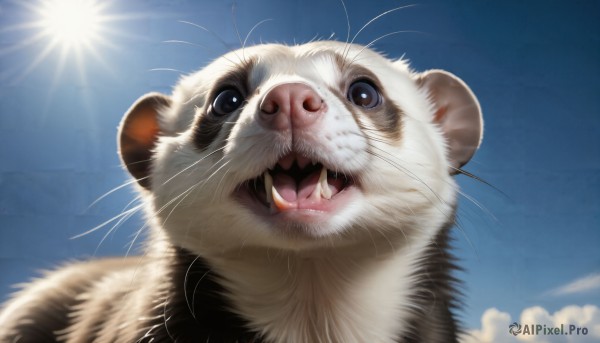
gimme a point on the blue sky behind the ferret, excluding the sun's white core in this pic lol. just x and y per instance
(533, 239)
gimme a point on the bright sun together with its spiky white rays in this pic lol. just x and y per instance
(76, 31)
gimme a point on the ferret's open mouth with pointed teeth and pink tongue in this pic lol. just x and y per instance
(296, 182)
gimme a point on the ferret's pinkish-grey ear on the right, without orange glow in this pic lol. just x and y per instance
(458, 114)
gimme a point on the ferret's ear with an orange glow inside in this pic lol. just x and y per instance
(138, 134)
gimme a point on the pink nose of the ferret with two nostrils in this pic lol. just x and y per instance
(290, 106)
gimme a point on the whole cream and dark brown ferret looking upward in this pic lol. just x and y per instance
(293, 194)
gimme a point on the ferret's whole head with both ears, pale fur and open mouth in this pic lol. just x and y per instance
(320, 145)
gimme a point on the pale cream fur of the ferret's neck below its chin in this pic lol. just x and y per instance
(297, 297)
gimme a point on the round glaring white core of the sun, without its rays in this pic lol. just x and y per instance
(72, 23)
